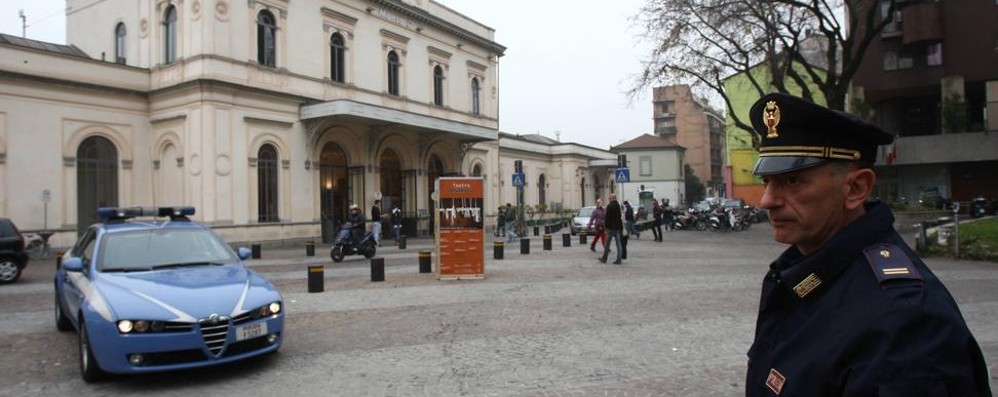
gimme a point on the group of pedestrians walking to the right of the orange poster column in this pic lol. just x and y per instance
(609, 224)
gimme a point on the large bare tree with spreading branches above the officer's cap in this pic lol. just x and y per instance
(815, 46)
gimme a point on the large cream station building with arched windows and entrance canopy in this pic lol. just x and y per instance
(269, 116)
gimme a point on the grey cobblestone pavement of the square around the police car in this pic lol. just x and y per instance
(674, 320)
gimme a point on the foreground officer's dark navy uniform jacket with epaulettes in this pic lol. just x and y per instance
(862, 316)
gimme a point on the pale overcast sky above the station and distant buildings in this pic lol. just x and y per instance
(567, 67)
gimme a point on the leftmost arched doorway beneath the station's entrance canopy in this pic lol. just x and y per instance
(333, 189)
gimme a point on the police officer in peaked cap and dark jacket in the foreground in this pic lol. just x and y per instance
(848, 309)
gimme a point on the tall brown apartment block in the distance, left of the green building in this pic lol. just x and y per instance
(684, 121)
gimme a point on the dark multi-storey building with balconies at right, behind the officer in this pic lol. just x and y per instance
(931, 78)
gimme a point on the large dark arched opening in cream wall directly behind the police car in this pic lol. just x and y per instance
(96, 179)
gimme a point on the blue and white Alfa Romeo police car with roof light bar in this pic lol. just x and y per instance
(155, 294)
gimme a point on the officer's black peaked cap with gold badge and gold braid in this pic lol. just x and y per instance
(797, 134)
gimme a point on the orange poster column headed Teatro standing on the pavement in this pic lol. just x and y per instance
(460, 228)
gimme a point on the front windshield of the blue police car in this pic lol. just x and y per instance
(159, 248)
